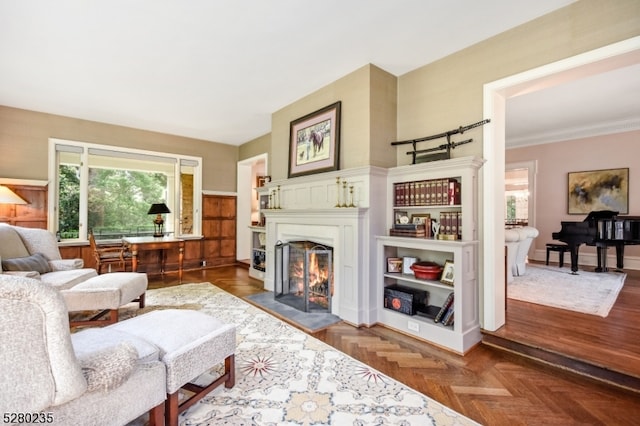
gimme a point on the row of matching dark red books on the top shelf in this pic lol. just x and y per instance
(431, 192)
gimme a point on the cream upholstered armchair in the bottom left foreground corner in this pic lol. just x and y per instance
(42, 372)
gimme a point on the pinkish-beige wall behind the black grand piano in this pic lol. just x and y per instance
(555, 160)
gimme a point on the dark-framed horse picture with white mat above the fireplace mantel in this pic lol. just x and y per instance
(314, 142)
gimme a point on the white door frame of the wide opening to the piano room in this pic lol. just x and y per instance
(496, 93)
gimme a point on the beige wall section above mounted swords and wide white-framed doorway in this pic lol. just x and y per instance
(449, 93)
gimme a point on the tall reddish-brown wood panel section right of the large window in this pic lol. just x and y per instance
(219, 230)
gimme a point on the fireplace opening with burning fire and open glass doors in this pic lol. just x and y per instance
(304, 275)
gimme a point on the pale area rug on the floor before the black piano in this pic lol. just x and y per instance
(588, 292)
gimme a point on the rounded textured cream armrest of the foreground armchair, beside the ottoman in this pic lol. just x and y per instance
(109, 368)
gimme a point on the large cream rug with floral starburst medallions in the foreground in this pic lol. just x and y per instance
(284, 376)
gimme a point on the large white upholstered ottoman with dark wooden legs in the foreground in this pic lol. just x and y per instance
(190, 343)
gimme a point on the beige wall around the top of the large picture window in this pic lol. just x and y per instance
(24, 137)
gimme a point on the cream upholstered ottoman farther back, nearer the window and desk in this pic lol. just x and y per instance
(105, 293)
